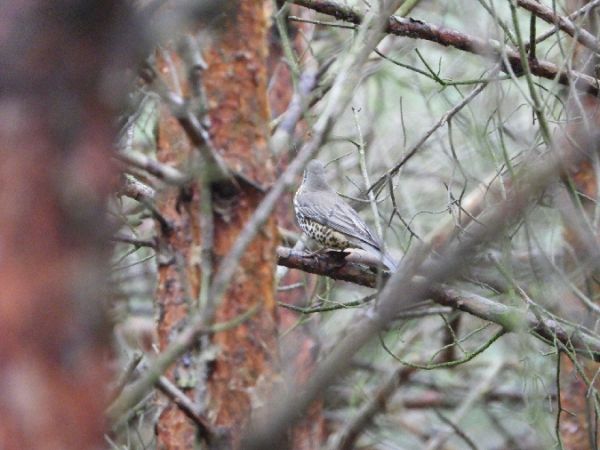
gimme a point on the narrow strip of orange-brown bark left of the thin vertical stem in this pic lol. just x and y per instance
(178, 267)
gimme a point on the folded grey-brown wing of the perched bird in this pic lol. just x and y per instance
(332, 211)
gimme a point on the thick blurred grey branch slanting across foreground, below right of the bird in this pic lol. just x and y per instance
(399, 292)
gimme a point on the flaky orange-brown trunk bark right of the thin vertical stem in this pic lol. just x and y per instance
(236, 88)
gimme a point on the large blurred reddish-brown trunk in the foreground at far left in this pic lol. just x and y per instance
(55, 141)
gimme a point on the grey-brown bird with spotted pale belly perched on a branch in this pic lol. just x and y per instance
(324, 216)
